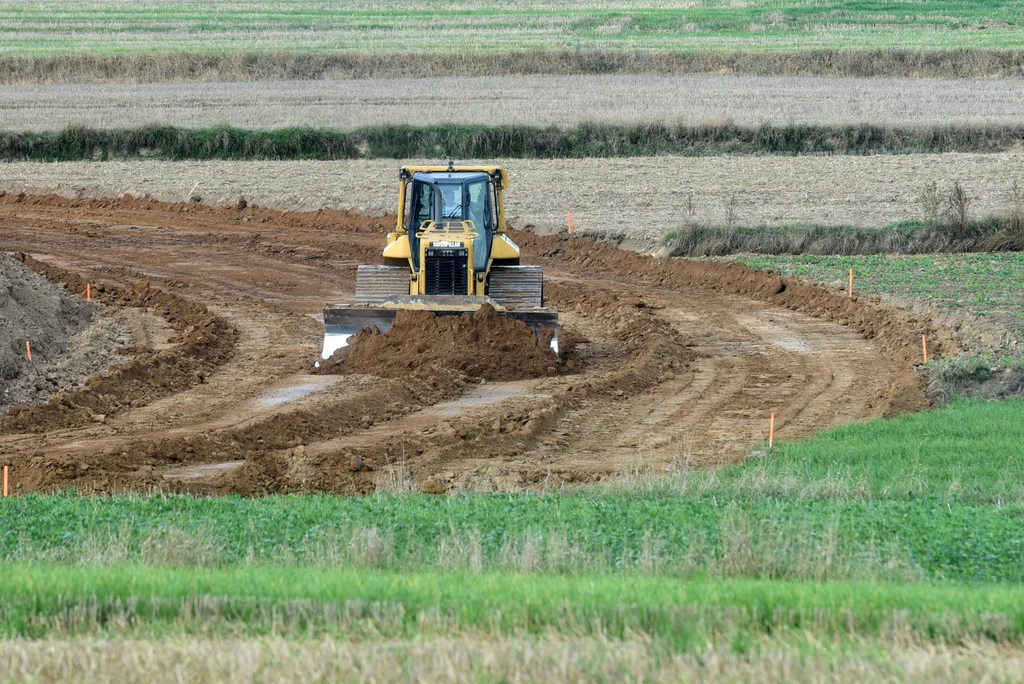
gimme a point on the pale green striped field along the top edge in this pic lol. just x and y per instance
(52, 28)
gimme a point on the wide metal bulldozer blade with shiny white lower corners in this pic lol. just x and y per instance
(342, 322)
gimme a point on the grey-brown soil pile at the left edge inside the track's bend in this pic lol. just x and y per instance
(56, 323)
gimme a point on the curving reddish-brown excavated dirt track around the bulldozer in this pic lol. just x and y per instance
(675, 364)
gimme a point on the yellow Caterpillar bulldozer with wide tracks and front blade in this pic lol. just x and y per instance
(449, 254)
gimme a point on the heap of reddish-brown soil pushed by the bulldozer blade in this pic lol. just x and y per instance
(485, 345)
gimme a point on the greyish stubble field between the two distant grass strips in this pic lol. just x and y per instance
(545, 101)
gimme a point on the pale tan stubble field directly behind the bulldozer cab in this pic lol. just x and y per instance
(643, 198)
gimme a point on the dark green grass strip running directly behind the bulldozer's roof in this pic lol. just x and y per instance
(473, 142)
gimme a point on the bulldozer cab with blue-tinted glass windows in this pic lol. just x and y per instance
(452, 197)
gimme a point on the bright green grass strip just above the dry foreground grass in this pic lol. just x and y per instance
(40, 601)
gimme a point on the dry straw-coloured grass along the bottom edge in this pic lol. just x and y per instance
(433, 660)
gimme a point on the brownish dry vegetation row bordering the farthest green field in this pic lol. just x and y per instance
(274, 65)
